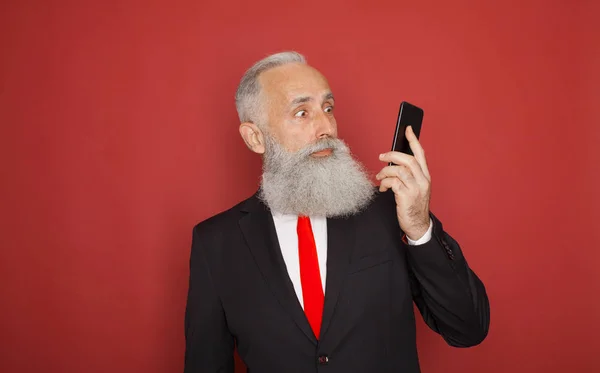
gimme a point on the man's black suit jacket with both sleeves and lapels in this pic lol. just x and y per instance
(240, 294)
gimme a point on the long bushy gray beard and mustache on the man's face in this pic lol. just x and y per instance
(298, 184)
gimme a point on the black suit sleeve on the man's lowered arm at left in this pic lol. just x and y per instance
(209, 344)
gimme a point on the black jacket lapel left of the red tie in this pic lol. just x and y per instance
(260, 234)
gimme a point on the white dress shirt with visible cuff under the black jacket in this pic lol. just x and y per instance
(286, 225)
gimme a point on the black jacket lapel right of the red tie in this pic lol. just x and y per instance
(341, 234)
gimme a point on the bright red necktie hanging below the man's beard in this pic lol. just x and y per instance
(310, 277)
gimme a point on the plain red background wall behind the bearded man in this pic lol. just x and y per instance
(119, 133)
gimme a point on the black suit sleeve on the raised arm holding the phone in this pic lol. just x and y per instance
(449, 295)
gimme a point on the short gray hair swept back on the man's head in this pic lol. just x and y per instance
(247, 96)
